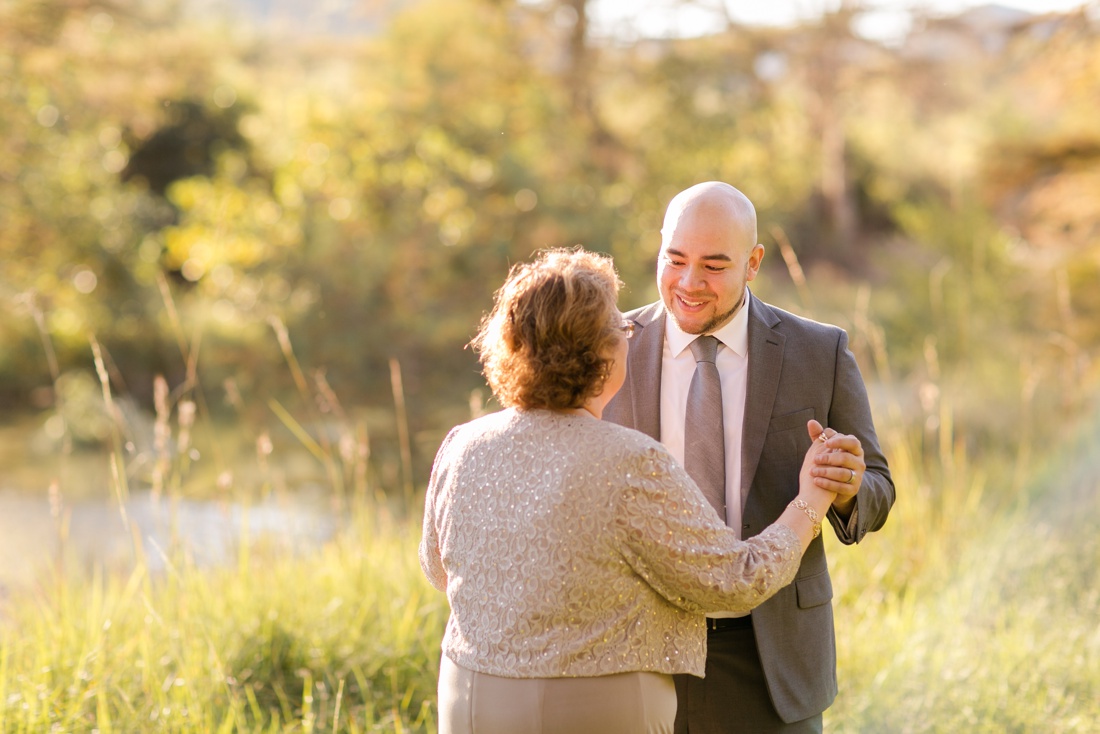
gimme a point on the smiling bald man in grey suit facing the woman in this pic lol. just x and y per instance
(774, 671)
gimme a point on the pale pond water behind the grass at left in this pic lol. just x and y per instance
(62, 509)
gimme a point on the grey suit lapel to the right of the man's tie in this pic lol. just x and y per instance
(766, 361)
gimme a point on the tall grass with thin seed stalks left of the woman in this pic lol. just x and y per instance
(342, 638)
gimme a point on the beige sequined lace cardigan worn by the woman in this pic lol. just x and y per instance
(569, 546)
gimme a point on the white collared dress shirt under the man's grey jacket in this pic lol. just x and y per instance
(678, 366)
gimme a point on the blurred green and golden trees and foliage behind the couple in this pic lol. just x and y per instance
(177, 185)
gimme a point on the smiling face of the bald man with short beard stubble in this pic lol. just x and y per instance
(702, 271)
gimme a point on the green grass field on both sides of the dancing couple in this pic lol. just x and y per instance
(975, 610)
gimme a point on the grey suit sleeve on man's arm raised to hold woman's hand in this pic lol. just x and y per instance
(851, 413)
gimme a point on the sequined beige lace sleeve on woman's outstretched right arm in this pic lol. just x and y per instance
(674, 540)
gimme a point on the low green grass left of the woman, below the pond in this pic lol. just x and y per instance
(343, 639)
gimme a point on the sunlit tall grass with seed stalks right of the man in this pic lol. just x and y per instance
(977, 608)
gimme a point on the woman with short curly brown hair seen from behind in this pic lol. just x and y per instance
(578, 557)
